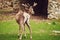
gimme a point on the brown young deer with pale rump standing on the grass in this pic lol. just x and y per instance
(22, 18)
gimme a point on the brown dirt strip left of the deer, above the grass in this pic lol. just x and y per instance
(6, 16)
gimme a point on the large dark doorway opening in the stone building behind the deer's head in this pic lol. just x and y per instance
(41, 8)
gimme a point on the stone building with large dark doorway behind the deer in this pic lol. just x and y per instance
(45, 8)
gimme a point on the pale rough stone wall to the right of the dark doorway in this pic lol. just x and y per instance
(54, 9)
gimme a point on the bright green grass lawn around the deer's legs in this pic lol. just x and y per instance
(40, 30)
